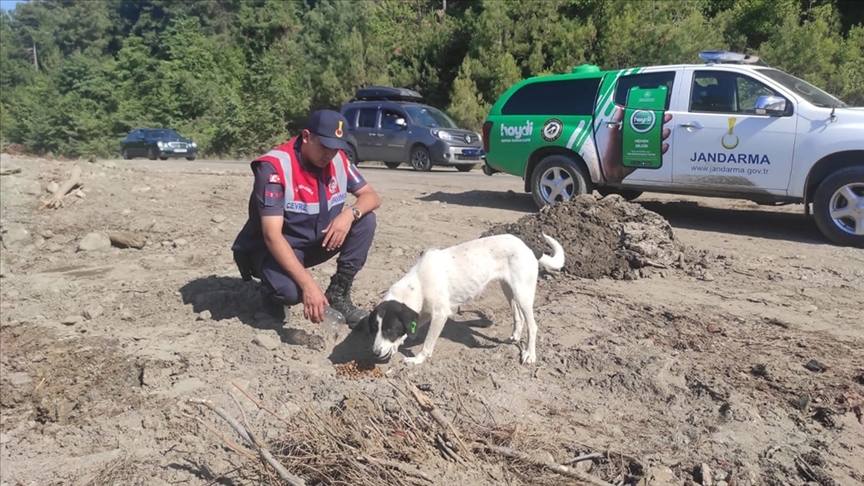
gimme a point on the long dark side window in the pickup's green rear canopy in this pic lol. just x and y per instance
(565, 97)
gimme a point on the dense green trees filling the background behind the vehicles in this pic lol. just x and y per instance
(76, 76)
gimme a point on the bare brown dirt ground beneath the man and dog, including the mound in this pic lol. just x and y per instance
(687, 341)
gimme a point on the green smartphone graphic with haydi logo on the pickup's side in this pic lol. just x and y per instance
(642, 128)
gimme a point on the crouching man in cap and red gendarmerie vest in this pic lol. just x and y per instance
(297, 220)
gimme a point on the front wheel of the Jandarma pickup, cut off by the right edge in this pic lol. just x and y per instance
(838, 207)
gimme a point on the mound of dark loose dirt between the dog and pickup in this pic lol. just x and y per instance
(606, 237)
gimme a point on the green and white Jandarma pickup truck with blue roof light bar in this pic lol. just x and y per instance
(728, 128)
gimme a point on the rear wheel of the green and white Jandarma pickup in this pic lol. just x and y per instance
(557, 178)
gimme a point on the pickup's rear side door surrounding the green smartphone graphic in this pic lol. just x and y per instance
(609, 129)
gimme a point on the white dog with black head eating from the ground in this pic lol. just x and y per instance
(444, 279)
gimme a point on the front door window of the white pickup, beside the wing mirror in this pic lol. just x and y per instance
(725, 92)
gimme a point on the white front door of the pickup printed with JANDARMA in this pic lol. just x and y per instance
(722, 143)
